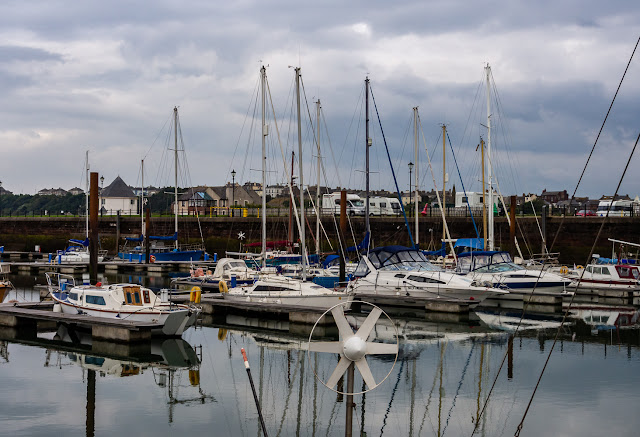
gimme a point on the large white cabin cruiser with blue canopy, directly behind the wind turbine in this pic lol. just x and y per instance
(404, 272)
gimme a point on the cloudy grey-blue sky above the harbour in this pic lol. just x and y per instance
(105, 76)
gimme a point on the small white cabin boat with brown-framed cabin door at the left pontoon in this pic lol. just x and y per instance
(122, 301)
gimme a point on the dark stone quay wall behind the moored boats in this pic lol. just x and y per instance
(225, 233)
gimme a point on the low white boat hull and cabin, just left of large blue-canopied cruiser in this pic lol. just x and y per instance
(287, 291)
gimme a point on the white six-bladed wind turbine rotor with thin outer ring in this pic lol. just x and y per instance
(354, 347)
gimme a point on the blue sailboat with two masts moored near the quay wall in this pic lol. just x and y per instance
(164, 248)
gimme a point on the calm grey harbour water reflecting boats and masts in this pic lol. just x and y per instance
(437, 387)
